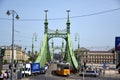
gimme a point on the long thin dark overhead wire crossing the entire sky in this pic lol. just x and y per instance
(97, 13)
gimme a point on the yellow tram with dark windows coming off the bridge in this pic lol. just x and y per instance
(63, 69)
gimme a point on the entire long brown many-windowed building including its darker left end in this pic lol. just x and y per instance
(96, 57)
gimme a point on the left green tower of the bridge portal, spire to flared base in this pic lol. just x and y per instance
(44, 55)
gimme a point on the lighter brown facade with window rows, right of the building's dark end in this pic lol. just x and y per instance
(98, 57)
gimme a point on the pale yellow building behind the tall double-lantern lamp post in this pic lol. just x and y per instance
(19, 54)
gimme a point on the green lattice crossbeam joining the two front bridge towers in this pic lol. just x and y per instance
(57, 33)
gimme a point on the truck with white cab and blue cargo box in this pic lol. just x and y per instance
(30, 69)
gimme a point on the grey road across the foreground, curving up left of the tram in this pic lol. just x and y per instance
(109, 75)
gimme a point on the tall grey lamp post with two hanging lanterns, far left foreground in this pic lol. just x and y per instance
(13, 13)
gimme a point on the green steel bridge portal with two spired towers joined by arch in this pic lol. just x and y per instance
(45, 54)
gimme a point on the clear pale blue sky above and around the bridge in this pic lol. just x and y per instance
(95, 22)
